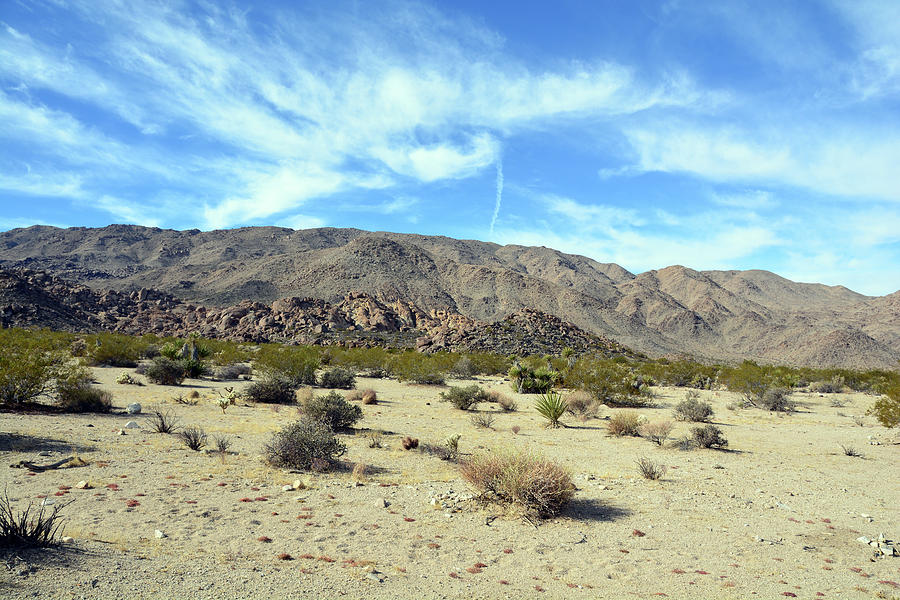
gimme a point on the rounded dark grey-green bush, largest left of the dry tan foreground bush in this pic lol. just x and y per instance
(304, 444)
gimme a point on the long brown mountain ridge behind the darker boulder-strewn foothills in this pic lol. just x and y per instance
(714, 315)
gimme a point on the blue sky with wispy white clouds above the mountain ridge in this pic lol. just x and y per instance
(716, 135)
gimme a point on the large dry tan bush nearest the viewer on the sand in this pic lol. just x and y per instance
(535, 484)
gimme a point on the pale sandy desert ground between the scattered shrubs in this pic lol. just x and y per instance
(777, 515)
